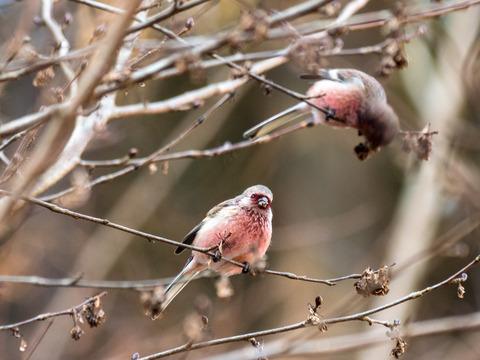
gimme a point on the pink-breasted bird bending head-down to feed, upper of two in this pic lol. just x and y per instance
(350, 98)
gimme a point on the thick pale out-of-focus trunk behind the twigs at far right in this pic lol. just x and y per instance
(420, 213)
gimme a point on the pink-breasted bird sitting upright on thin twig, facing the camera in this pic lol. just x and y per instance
(245, 224)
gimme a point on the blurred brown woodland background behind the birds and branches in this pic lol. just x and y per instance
(333, 214)
